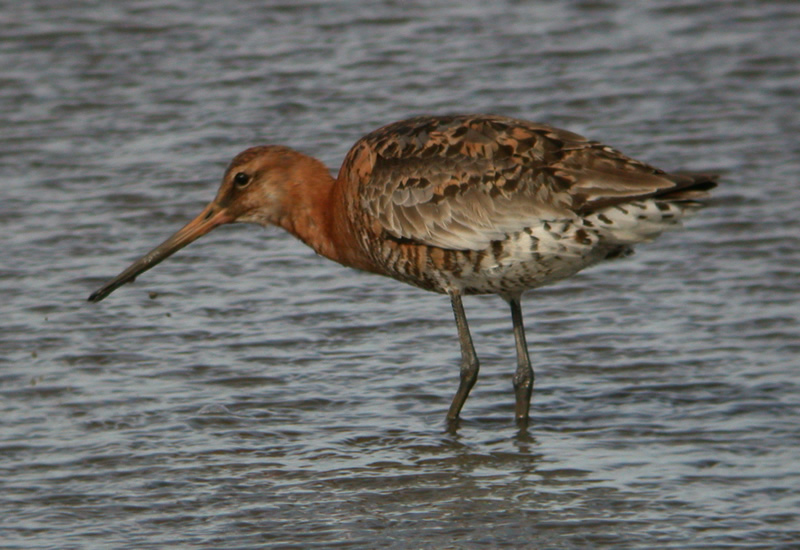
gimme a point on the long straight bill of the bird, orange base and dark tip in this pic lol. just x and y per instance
(212, 216)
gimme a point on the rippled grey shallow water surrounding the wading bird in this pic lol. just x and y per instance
(265, 397)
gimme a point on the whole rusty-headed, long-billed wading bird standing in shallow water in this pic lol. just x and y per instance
(458, 205)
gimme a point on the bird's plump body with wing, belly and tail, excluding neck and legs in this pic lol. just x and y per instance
(489, 204)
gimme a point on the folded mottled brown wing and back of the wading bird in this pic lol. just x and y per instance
(462, 182)
